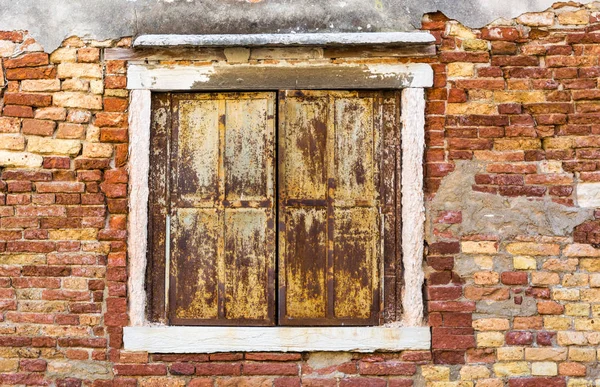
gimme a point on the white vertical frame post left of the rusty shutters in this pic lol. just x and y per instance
(139, 167)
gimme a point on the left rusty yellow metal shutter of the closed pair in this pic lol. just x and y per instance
(222, 237)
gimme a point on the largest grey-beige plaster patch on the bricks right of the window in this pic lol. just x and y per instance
(502, 216)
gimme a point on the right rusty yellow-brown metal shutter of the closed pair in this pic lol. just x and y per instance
(335, 205)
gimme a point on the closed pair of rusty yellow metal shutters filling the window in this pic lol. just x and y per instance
(274, 208)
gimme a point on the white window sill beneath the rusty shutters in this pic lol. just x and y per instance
(274, 339)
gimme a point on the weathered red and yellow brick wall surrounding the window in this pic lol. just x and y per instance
(513, 275)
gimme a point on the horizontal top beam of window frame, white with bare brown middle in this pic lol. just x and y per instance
(222, 76)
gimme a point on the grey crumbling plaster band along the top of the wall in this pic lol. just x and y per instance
(50, 22)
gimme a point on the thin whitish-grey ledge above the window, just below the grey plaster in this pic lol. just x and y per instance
(274, 40)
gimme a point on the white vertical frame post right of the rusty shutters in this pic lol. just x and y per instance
(413, 204)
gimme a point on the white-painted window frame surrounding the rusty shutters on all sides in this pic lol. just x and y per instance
(409, 333)
